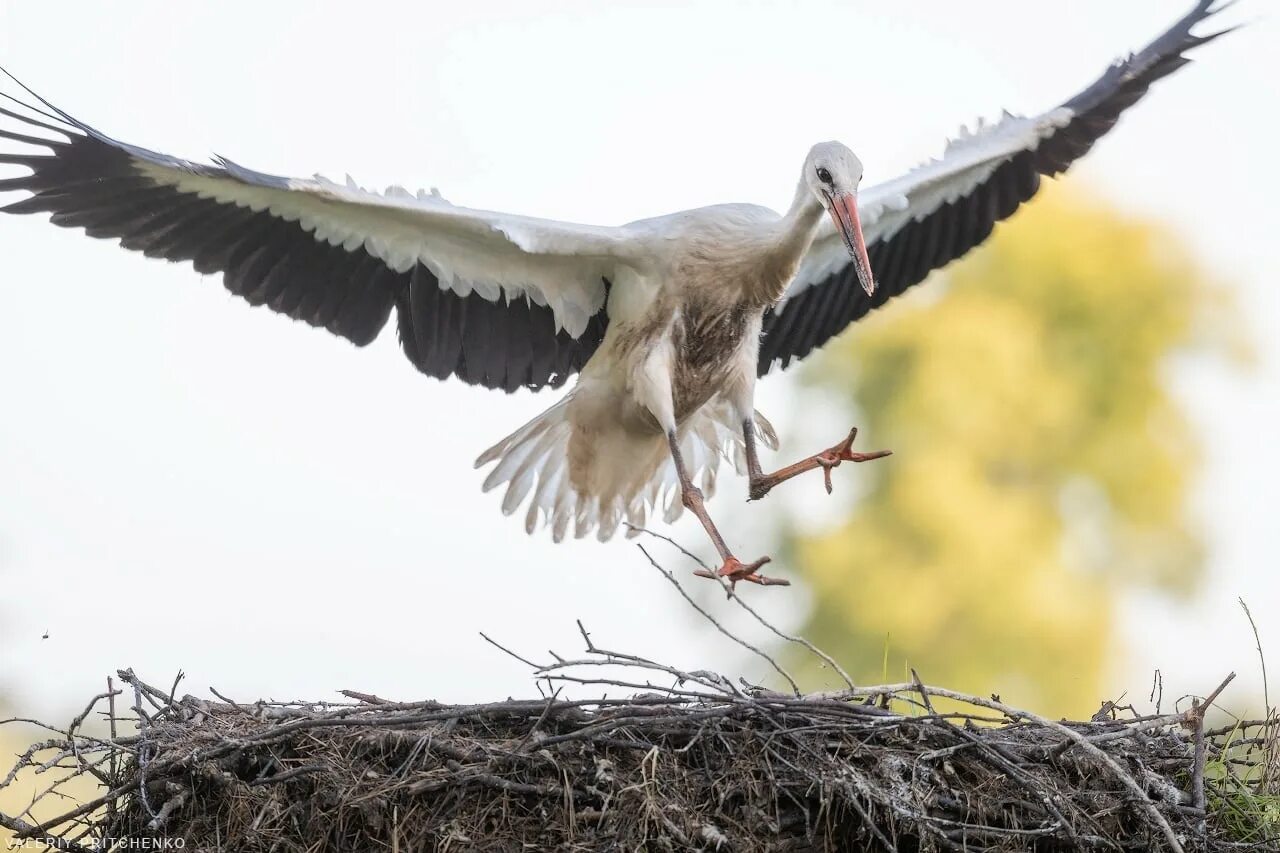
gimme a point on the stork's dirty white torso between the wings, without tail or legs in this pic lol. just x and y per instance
(693, 340)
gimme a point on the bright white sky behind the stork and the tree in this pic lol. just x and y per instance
(190, 483)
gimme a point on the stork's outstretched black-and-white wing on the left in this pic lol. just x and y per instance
(497, 300)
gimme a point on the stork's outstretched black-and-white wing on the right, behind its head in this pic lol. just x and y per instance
(939, 212)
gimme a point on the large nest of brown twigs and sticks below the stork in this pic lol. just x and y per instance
(703, 765)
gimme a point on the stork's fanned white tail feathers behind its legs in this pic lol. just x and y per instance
(632, 477)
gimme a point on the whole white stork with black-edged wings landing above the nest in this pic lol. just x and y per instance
(669, 322)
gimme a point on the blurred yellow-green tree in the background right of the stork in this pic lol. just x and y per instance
(1040, 459)
